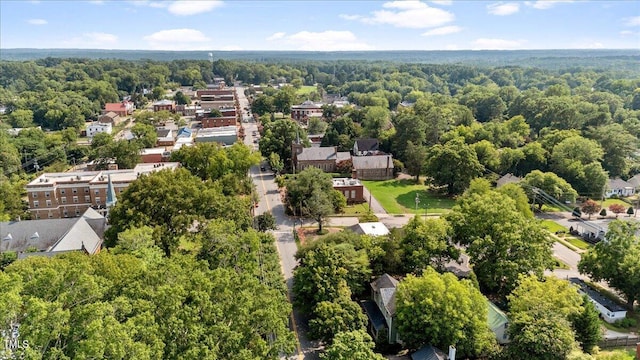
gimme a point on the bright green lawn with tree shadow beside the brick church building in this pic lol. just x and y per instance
(399, 197)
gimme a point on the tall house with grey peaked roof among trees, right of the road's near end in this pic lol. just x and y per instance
(381, 311)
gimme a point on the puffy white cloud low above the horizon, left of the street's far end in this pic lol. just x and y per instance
(178, 39)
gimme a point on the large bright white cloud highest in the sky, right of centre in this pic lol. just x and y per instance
(406, 14)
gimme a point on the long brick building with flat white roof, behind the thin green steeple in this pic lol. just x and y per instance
(62, 195)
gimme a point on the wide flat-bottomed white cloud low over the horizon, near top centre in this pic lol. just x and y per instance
(330, 40)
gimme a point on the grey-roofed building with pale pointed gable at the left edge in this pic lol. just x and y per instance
(53, 236)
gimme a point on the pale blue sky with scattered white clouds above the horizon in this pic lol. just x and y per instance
(320, 25)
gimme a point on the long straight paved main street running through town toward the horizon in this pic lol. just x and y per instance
(270, 202)
